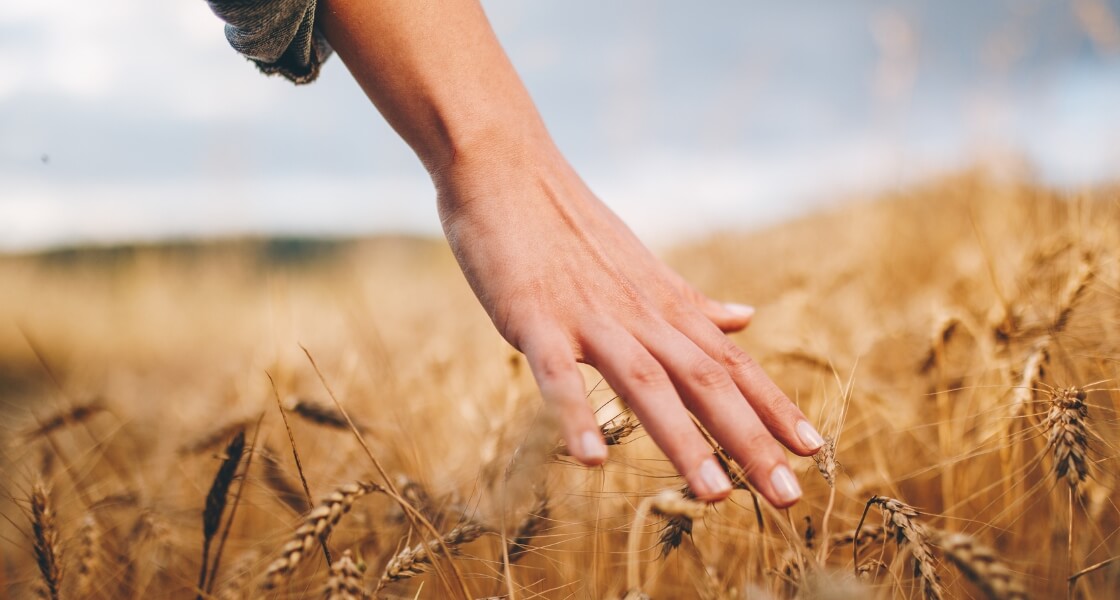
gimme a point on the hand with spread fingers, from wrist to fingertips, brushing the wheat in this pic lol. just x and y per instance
(565, 282)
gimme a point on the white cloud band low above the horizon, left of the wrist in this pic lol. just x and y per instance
(38, 215)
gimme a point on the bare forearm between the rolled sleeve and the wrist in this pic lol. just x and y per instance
(437, 73)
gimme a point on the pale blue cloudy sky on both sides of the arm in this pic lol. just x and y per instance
(133, 120)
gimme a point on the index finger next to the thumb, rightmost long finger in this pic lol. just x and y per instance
(781, 417)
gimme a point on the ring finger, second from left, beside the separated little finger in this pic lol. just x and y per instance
(636, 376)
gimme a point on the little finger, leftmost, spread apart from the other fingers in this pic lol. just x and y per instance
(554, 365)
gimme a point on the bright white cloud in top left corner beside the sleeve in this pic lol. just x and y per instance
(167, 58)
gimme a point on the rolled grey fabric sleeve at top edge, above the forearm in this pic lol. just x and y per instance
(279, 36)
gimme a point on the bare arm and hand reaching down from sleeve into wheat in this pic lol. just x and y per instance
(562, 277)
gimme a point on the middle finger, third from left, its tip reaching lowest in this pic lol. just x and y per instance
(713, 397)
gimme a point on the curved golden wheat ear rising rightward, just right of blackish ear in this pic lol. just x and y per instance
(316, 528)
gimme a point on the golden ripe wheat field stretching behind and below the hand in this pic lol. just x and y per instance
(340, 420)
